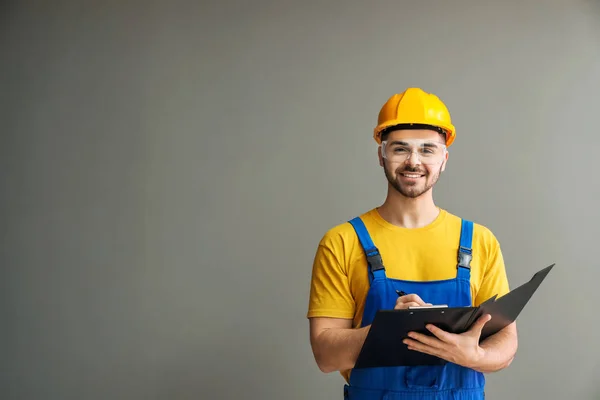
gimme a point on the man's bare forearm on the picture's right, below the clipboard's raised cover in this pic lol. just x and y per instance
(498, 350)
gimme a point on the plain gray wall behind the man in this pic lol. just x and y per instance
(168, 169)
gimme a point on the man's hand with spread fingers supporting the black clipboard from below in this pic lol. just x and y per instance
(462, 349)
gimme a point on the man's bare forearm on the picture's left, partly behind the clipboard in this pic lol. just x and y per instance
(336, 349)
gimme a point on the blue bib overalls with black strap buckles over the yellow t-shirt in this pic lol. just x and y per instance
(440, 382)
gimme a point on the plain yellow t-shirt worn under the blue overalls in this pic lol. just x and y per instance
(340, 282)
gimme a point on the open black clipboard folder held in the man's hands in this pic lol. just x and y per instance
(383, 346)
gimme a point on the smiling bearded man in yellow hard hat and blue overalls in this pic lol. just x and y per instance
(430, 254)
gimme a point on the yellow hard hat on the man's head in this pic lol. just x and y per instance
(415, 108)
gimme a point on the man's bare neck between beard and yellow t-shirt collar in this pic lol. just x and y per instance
(407, 212)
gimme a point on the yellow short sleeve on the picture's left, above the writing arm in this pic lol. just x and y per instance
(330, 294)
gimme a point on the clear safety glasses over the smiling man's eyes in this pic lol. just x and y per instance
(428, 152)
